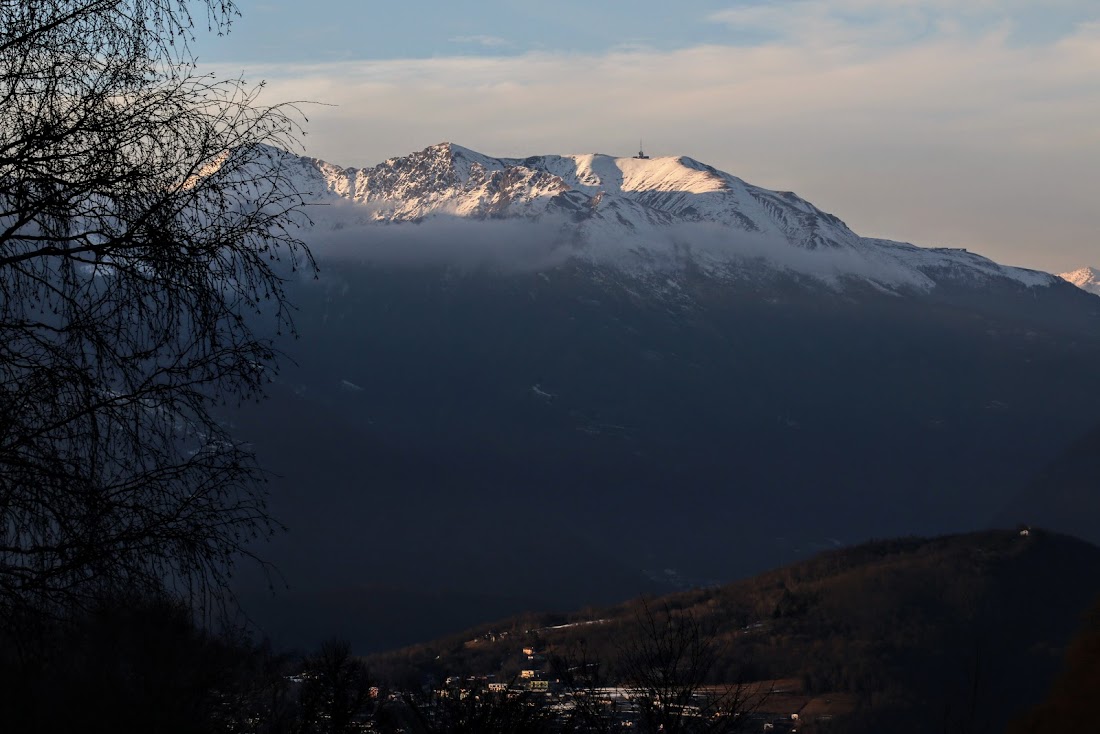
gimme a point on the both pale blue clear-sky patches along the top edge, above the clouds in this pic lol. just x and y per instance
(343, 30)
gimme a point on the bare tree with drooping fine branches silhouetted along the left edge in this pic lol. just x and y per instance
(147, 227)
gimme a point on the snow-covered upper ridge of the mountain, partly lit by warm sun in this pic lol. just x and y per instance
(635, 214)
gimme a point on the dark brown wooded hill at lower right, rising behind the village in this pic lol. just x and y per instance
(897, 626)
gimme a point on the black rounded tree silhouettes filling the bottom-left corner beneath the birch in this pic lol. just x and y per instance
(141, 663)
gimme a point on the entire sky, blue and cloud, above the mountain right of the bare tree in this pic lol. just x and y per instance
(972, 124)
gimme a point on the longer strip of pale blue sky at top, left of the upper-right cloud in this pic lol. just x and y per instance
(338, 30)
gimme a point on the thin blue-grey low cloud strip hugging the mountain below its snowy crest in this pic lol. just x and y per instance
(342, 237)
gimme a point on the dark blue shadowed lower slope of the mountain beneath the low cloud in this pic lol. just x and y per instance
(560, 439)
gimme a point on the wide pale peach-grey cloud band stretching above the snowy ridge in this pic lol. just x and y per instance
(962, 139)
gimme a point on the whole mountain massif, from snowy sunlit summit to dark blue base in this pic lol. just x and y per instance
(544, 382)
